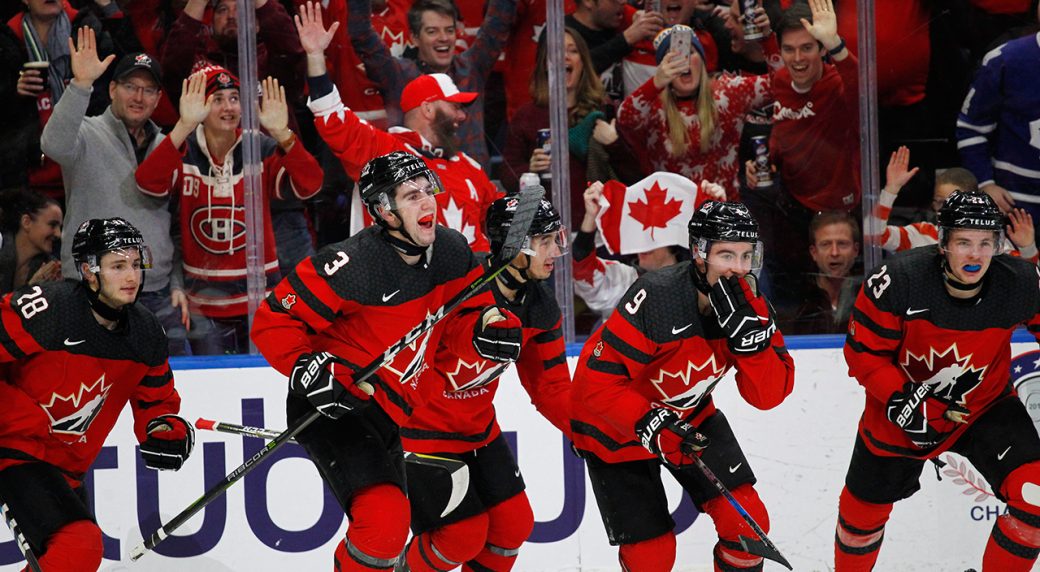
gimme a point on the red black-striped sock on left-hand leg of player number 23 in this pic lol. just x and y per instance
(860, 533)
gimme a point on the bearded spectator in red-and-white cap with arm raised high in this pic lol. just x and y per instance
(434, 112)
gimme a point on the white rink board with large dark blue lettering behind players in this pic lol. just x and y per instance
(280, 517)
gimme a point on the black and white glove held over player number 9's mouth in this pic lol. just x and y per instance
(745, 318)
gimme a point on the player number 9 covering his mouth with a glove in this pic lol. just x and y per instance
(642, 394)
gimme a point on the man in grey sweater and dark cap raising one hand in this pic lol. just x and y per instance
(98, 158)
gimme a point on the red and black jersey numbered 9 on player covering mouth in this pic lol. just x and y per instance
(658, 350)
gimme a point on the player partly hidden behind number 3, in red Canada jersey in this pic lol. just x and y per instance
(486, 531)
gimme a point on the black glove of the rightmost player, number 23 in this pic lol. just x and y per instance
(926, 420)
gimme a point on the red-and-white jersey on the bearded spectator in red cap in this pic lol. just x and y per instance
(355, 142)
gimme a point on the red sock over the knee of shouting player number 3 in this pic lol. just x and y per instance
(378, 530)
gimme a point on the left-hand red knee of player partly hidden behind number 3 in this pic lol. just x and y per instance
(450, 547)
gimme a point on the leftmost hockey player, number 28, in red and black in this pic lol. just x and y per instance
(75, 354)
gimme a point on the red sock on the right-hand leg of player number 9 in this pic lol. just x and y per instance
(730, 525)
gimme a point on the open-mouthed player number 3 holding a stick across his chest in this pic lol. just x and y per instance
(350, 303)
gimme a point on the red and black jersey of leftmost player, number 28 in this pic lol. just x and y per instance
(67, 379)
